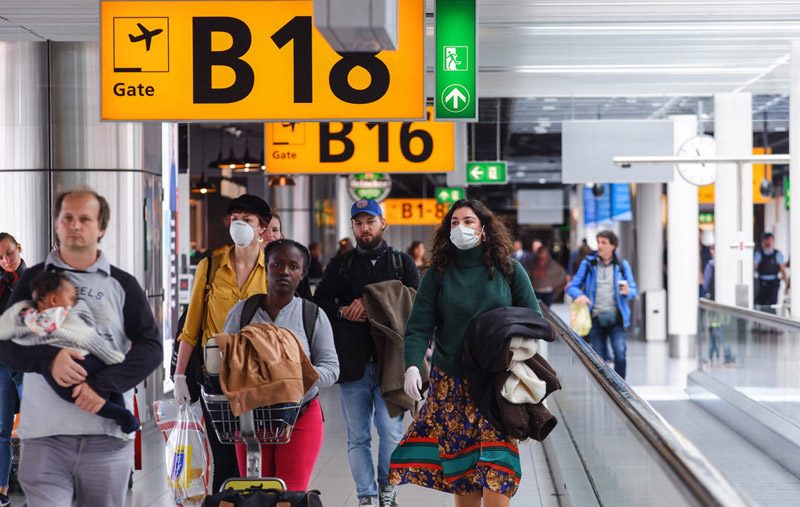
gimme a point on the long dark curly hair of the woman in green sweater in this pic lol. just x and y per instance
(496, 238)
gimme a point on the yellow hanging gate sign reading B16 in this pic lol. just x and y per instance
(347, 147)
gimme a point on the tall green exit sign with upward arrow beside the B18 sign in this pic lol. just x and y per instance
(456, 61)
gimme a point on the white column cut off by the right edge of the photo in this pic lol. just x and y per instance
(794, 172)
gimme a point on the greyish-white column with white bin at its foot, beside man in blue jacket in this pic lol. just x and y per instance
(649, 253)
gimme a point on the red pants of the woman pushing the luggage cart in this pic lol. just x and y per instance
(294, 461)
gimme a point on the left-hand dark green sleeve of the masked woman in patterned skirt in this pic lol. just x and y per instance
(421, 321)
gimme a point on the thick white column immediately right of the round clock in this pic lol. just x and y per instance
(733, 200)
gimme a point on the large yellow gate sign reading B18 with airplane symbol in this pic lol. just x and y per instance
(251, 60)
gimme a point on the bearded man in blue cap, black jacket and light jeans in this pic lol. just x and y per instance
(340, 295)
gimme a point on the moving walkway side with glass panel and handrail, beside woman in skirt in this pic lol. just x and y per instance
(616, 433)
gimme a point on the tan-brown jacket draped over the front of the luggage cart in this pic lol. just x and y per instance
(262, 365)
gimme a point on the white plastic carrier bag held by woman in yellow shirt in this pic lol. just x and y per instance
(186, 452)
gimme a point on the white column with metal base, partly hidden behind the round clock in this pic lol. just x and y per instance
(683, 254)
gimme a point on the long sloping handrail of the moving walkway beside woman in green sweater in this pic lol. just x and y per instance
(701, 478)
